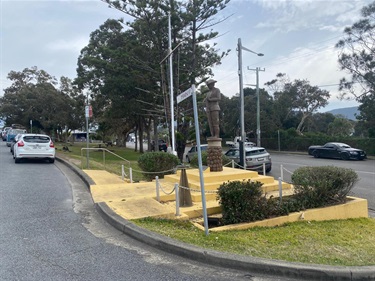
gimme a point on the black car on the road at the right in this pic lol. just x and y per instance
(336, 150)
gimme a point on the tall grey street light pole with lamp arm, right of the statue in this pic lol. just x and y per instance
(242, 112)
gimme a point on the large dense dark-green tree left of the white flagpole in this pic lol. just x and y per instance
(109, 67)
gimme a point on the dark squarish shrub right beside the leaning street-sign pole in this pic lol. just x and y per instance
(242, 202)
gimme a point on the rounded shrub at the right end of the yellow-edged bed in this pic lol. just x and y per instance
(321, 186)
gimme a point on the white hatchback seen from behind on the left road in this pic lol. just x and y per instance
(34, 146)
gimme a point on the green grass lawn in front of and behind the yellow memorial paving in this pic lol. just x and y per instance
(342, 242)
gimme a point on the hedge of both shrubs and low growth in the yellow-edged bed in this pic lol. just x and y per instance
(244, 201)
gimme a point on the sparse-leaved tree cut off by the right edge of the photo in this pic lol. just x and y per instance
(356, 57)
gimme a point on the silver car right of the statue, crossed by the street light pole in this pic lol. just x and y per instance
(255, 157)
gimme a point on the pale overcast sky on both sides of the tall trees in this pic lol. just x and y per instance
(296, 38)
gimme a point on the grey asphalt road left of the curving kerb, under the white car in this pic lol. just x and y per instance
(49, 230)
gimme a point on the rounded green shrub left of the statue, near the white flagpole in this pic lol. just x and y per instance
(157, 164)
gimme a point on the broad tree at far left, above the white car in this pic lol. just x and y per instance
(33, 95)
